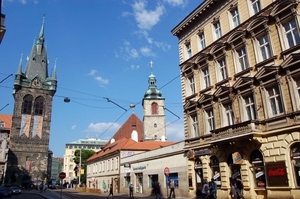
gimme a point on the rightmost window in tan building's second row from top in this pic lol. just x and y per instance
(292, 33)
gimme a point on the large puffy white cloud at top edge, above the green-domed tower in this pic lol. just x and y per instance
(147, 19)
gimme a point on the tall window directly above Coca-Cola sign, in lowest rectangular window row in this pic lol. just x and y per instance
(275, 101)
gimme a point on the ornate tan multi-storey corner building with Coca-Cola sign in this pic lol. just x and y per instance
(241, 88)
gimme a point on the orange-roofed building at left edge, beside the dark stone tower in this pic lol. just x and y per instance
(5, 128)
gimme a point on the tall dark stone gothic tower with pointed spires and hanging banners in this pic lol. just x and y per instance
(29, 140)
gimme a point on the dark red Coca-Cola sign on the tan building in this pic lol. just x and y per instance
(276, 174)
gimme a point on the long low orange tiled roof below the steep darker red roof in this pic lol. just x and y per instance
(128, 144)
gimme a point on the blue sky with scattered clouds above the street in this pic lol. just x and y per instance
(102, 49)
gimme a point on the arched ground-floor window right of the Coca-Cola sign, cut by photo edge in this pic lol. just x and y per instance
(295, 156)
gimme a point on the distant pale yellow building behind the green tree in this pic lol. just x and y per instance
(69, 165)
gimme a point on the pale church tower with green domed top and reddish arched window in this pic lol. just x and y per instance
(154, 113)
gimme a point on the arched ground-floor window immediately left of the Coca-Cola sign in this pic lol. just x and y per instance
(256, 159)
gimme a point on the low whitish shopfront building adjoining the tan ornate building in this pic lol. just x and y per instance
(138, 169)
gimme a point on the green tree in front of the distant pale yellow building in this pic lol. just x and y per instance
(85, 154)
